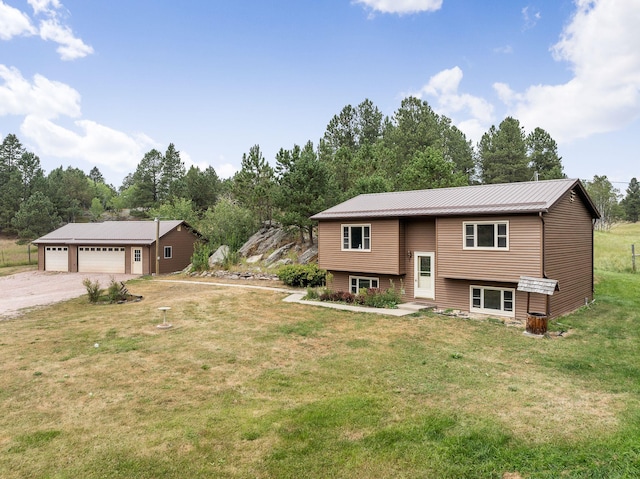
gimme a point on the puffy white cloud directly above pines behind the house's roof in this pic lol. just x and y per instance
(471, 114)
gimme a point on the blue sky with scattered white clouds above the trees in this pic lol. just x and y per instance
(99, 83)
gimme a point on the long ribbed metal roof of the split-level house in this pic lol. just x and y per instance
(503, 198)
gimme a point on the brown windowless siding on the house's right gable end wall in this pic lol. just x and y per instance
(569, 253)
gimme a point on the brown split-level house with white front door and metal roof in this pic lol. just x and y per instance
(466, 248)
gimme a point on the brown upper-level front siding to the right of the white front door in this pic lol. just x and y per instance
(522, 258)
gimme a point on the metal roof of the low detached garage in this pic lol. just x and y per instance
(109, 232)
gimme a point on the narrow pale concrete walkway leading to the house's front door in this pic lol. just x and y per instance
(295, 296)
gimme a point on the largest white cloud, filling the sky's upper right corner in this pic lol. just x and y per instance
(600, 44)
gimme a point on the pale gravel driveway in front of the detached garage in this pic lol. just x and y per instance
(39, 288)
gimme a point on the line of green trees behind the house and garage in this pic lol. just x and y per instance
(361, 151)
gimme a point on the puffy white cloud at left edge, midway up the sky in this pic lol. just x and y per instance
(42, 97)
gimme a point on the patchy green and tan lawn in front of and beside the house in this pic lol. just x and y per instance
(246, 386)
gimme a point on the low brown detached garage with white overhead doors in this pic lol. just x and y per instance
(117, 247)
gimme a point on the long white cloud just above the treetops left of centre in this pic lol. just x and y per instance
(94, 143)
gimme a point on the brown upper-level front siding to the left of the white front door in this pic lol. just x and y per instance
(384, 257)
